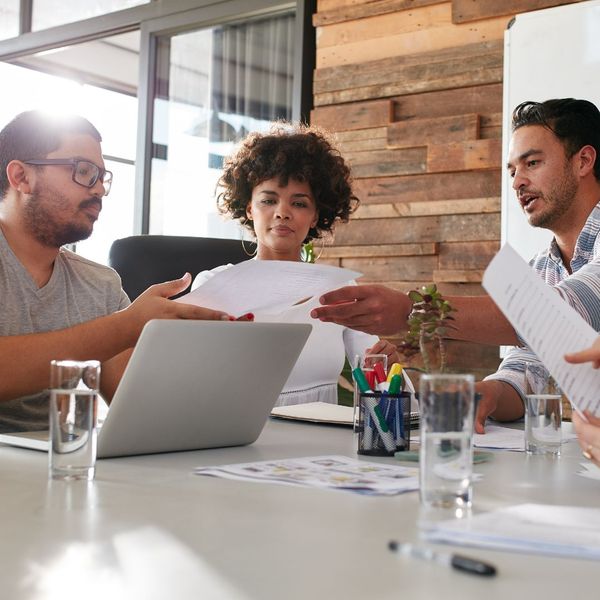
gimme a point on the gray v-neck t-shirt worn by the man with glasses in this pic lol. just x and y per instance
(79, 290)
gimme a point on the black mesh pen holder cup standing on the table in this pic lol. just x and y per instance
(383, 423)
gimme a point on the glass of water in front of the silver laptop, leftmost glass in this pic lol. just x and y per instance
(74, 388)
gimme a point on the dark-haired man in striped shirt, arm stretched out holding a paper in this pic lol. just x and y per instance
(554, 163)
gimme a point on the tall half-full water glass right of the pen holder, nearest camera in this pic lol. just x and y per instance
(446, 440)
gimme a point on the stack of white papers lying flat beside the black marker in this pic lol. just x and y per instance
(535, 528)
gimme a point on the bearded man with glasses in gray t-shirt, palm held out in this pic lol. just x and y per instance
(56, 304)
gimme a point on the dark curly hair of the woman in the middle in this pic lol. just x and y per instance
(287, 151)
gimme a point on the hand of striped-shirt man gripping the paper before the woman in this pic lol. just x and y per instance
(373, 309)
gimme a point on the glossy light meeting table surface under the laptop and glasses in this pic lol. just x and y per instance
(148, 527)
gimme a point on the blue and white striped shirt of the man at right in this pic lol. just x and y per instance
(581, 289)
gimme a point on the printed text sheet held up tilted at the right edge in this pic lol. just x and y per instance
(549, 325)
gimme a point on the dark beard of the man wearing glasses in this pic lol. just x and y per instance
(39, 215)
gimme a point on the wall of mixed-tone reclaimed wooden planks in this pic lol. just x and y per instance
(413, 91)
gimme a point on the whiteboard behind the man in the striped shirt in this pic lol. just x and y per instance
(551, 53)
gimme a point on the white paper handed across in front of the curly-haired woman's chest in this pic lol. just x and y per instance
(267, 285)
